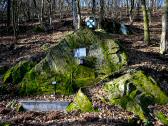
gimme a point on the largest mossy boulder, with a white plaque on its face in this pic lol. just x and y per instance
(103, 57)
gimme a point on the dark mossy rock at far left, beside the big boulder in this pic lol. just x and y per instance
(16, 73)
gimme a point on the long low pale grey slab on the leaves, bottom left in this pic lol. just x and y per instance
(35, 105)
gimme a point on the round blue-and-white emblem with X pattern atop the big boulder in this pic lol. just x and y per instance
(90, 22)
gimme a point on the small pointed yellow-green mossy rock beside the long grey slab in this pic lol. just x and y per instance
(81, 102)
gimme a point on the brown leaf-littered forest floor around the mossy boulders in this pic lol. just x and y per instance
(141, 56)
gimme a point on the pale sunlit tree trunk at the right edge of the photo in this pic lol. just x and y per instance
(164, 35)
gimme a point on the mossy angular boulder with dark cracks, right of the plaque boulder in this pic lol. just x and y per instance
(134, 92)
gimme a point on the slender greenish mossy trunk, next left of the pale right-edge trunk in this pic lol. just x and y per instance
(146, 23)
